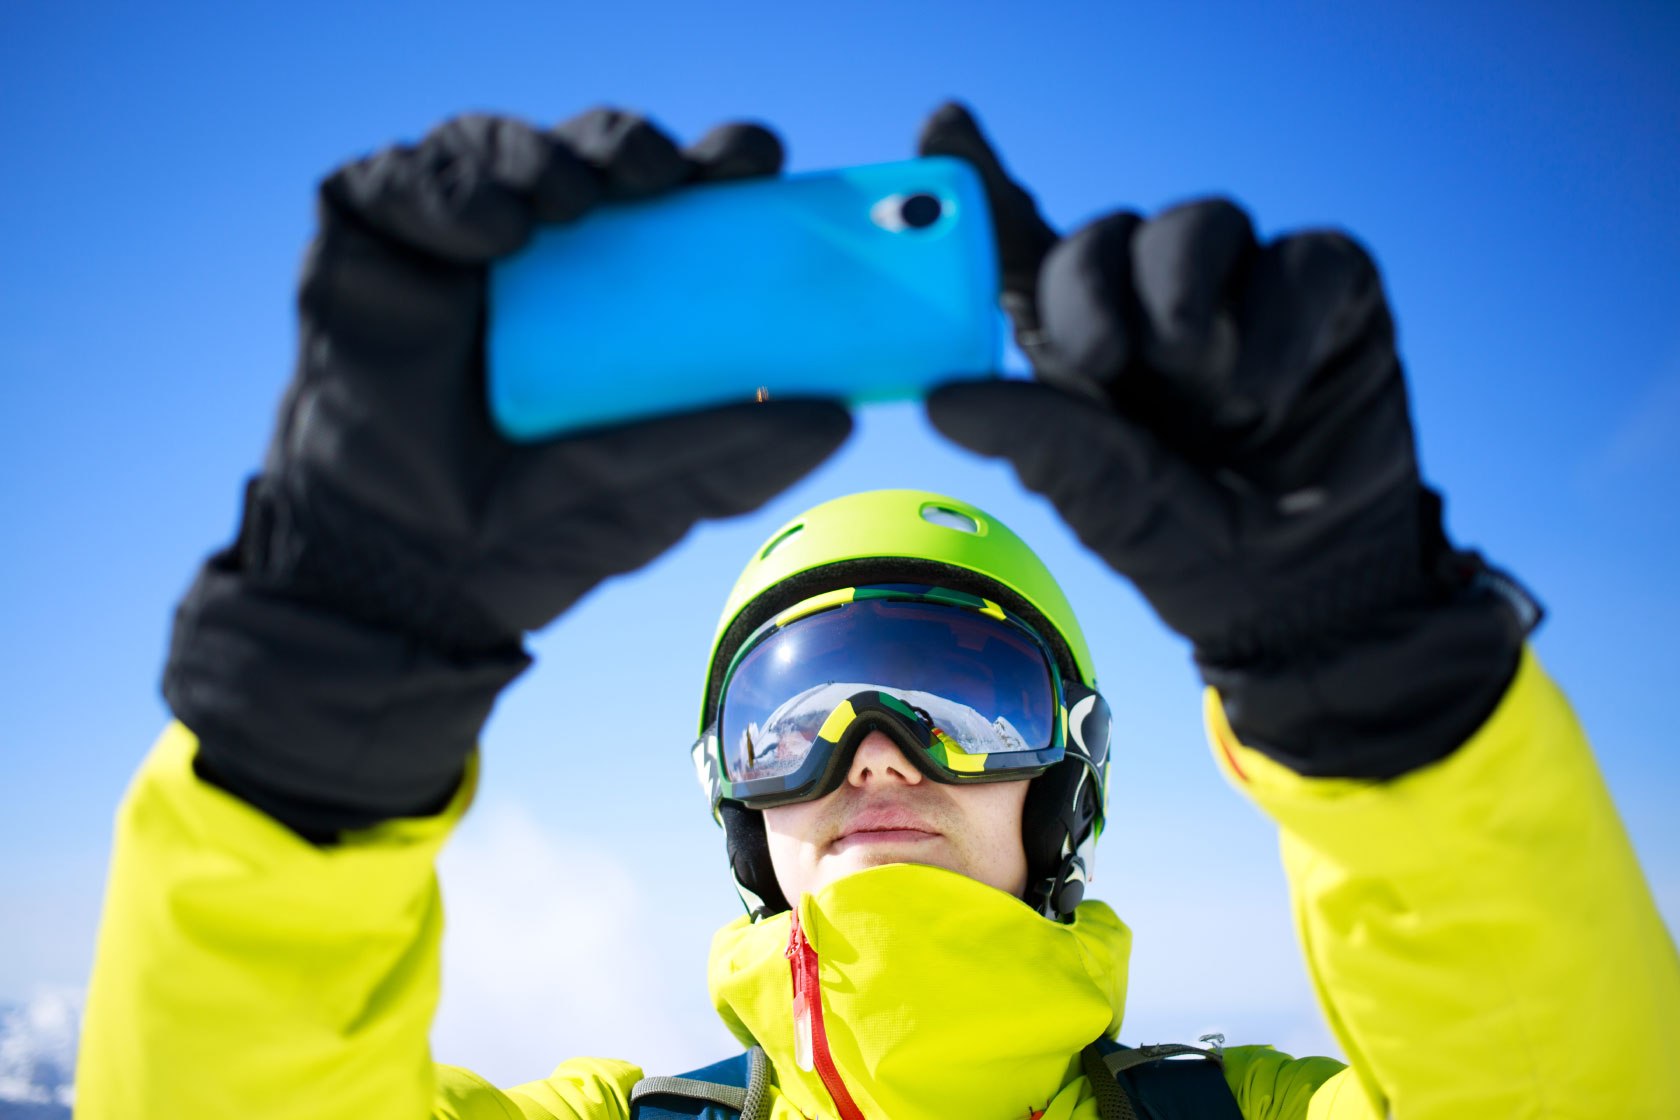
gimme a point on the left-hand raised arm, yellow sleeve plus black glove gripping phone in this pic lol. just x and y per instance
(270, 945)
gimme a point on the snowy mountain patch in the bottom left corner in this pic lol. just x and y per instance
(38, 1057)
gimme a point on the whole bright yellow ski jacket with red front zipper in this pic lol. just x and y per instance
(1479, 934)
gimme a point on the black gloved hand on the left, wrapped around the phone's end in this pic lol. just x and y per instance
(340, 659)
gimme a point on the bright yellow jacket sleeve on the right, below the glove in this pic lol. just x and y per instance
(1479, 933)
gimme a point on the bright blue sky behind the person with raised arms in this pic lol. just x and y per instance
(1515, 169)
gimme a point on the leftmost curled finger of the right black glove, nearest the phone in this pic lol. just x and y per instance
(1088, 305)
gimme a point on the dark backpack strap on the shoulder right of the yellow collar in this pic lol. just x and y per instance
(1147, 1086)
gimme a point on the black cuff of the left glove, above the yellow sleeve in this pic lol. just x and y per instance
(323, 721)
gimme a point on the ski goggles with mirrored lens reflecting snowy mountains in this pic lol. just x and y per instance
(969, 691)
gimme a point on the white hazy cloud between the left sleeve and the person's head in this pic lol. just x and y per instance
(552, 951)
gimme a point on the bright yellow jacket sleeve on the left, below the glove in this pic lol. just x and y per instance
(243, 971)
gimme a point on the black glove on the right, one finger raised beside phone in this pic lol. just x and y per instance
(1226, 424)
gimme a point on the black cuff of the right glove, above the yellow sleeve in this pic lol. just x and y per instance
(1405, 693)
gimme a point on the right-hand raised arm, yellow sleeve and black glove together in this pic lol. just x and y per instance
(1226, 422)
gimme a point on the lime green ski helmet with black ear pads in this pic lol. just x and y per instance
(915, 536)
